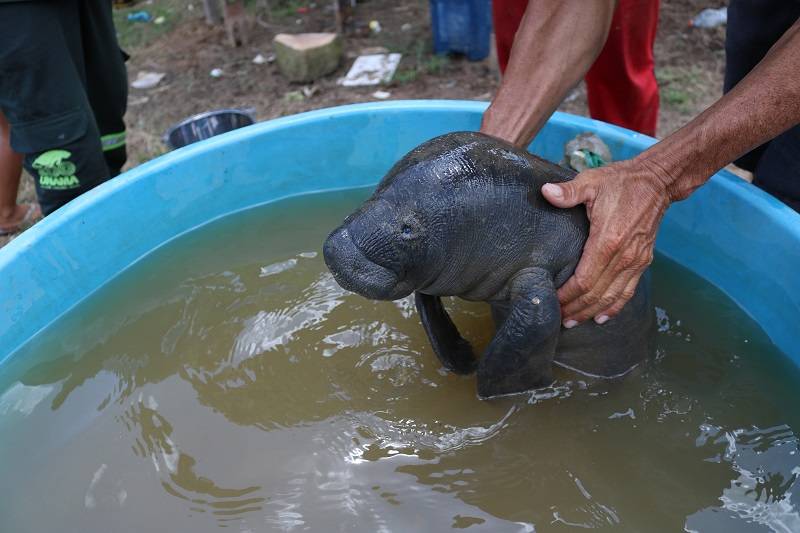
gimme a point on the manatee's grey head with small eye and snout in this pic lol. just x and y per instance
(382, 251)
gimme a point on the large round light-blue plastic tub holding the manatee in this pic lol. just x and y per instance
(730, 233)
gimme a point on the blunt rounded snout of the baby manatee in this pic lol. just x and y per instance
(355, 272)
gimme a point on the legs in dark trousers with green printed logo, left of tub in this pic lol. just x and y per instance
(63, 89)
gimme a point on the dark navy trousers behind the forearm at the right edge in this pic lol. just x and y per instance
(753, 27)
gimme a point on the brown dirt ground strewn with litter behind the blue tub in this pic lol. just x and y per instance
(689, 65)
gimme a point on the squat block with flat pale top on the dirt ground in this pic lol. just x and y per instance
(307, 56)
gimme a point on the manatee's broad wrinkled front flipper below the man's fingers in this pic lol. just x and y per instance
(520, 356)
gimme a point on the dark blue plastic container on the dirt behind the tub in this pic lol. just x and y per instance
(462, 26)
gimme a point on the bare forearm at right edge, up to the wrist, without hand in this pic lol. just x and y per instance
(760, 107)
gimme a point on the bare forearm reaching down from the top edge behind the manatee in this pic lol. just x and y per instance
(557, 42)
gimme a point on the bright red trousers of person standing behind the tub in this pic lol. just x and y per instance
(621, 84)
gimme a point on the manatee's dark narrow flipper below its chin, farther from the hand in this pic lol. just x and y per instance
(453, 351)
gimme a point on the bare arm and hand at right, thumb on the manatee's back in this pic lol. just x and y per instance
(626, 201)
